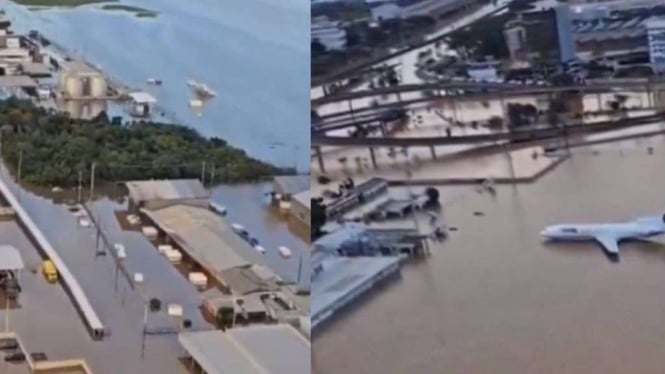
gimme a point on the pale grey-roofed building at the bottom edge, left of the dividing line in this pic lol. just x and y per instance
(266, 349)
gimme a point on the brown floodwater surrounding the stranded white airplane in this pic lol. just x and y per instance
(495, 299)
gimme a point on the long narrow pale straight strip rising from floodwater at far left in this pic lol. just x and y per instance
(69, 282)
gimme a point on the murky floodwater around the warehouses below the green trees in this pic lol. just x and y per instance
(119, 307)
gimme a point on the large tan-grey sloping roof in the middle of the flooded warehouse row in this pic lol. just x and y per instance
(206, 237)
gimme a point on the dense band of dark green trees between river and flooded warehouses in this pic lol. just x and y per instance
(55, 148)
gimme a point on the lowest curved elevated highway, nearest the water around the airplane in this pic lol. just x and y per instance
(520, 135)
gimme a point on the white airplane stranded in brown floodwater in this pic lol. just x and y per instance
(608, 235)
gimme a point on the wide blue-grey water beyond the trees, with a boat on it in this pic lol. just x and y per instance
(258, 66)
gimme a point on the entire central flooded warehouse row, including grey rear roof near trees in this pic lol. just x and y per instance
(179, 209)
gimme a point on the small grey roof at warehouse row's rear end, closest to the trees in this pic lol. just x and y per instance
(172, 189)
